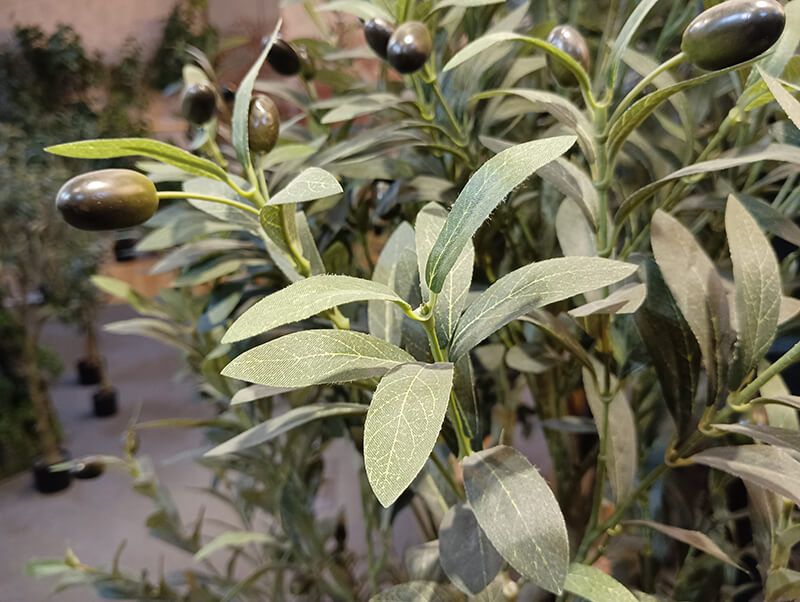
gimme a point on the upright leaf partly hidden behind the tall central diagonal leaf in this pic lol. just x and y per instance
(453, 296)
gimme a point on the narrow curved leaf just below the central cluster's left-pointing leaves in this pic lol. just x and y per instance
(275, 427)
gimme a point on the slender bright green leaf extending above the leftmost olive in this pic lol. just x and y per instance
(112, 148)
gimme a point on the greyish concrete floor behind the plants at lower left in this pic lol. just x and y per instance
(93, 517)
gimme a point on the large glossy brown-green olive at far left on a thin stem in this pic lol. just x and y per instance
(107, 199)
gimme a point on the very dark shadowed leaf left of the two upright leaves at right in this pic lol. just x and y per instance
(671, 345)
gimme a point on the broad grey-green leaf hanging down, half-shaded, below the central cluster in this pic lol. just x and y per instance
(519, 514)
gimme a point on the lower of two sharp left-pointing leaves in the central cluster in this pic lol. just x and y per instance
(315, 357)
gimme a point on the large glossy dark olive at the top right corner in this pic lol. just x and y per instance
(733, 32)
